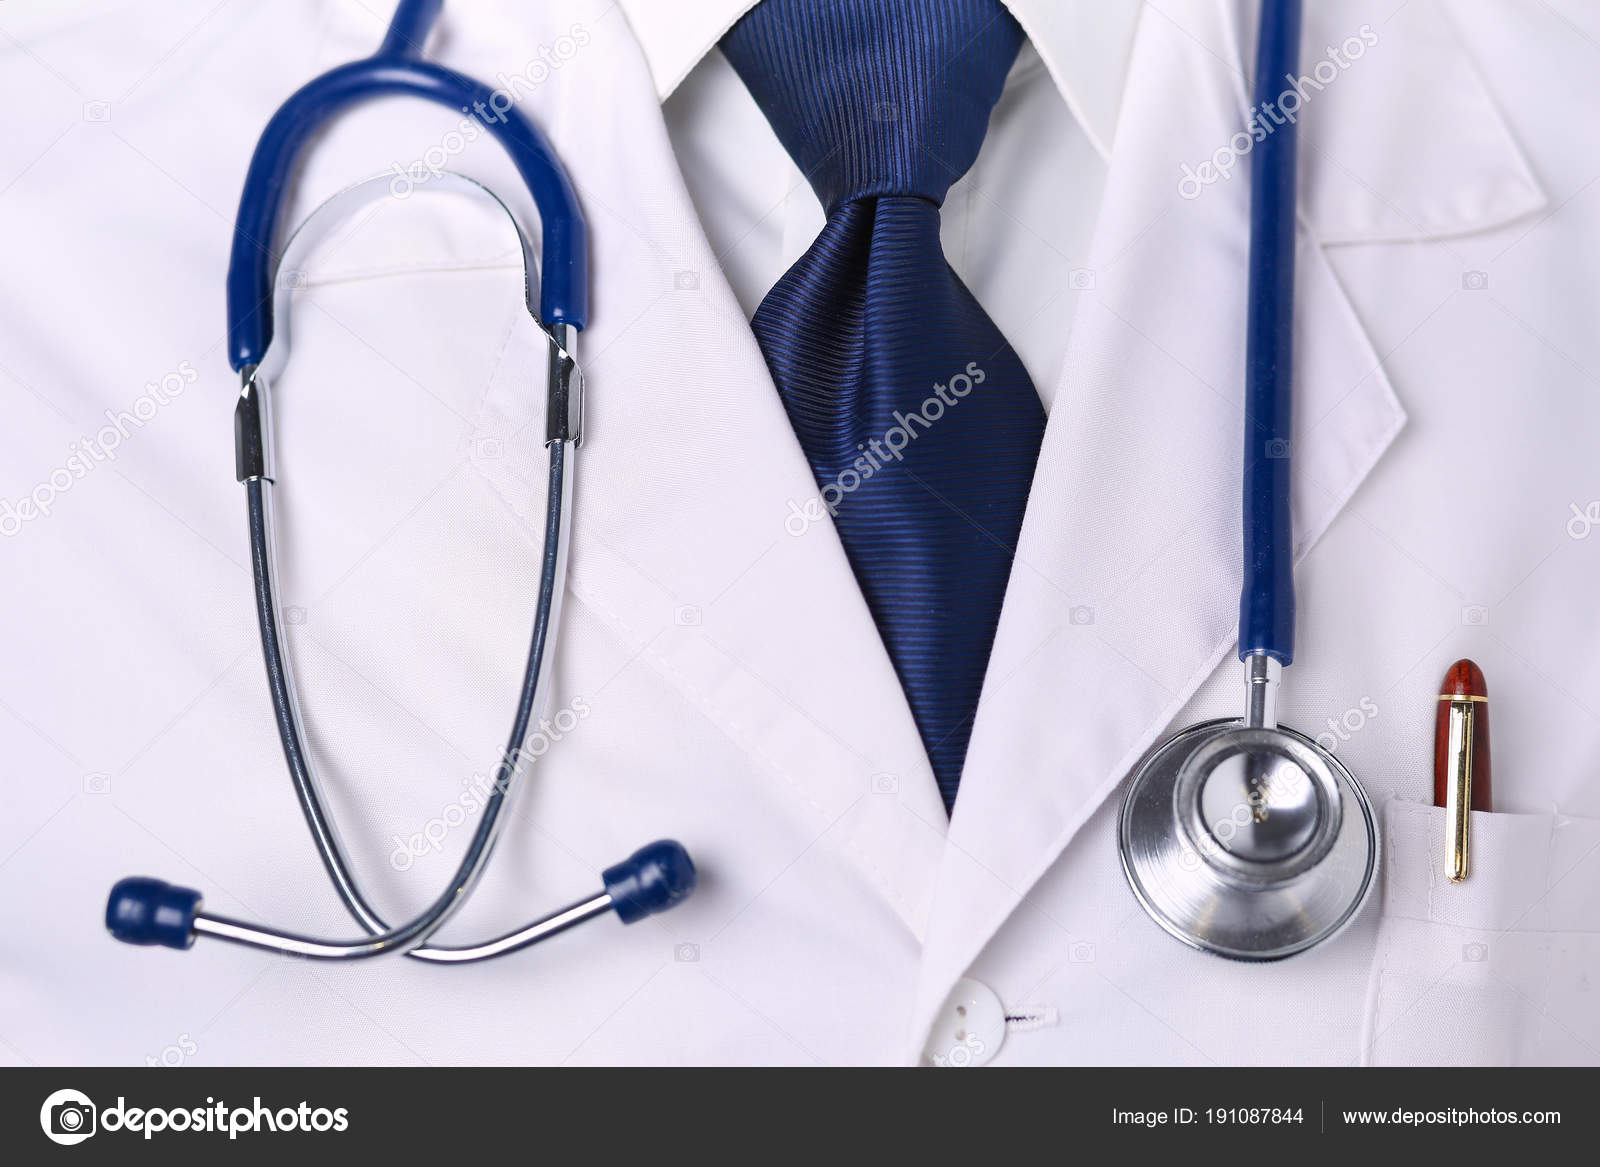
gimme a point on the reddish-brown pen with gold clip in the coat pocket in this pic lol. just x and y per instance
(1462, 760)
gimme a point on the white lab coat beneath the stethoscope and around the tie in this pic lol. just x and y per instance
(724, 681)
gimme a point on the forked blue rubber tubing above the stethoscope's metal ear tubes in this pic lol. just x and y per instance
(396, 71)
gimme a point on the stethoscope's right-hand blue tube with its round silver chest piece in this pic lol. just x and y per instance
(1246, 838)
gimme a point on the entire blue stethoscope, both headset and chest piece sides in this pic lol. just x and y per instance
(1241, 838)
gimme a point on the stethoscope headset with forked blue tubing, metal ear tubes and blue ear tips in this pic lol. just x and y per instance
(660, 875)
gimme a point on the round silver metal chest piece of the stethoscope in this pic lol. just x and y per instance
(1246, 841)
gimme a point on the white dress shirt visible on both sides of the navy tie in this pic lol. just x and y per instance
(1015, 228)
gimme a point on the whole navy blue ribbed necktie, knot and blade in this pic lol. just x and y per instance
(918, 417)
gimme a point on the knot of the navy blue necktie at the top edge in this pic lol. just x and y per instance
(878, 97)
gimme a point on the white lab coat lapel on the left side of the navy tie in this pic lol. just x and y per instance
(697, 540)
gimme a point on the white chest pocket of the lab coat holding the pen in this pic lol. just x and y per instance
(1500, 969)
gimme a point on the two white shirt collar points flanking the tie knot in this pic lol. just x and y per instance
(1086, 47)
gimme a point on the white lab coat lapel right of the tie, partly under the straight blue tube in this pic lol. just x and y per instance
(1126, 590)
